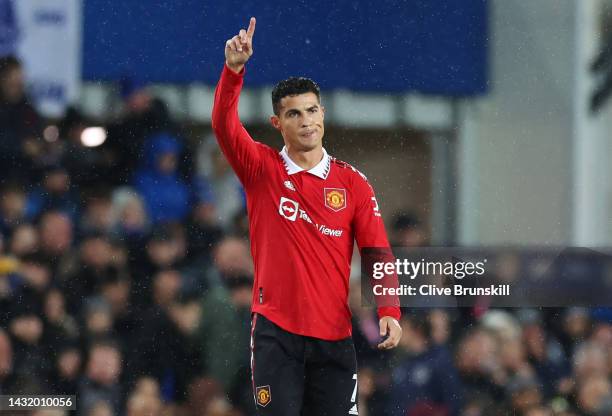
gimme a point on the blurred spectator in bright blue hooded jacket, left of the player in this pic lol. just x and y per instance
(167, 196)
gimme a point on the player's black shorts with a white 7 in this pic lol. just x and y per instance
(295, 375)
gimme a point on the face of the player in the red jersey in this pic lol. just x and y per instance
(300, 122)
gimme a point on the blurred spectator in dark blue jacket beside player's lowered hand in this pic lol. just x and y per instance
(425, 377)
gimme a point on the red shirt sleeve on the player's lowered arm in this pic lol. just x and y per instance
(373, 243)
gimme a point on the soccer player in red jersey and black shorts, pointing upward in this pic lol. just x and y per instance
(305, 210)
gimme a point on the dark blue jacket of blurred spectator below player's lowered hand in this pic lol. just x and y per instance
(428, 378)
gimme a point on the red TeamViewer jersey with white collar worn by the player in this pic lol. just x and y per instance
(302, 226)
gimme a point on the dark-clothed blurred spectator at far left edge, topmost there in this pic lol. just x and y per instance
(20, 124)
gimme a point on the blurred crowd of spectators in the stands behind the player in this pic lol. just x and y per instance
(125, 279)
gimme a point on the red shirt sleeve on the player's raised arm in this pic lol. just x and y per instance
(243, 153)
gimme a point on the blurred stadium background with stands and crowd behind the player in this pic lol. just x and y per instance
(479, 123)
